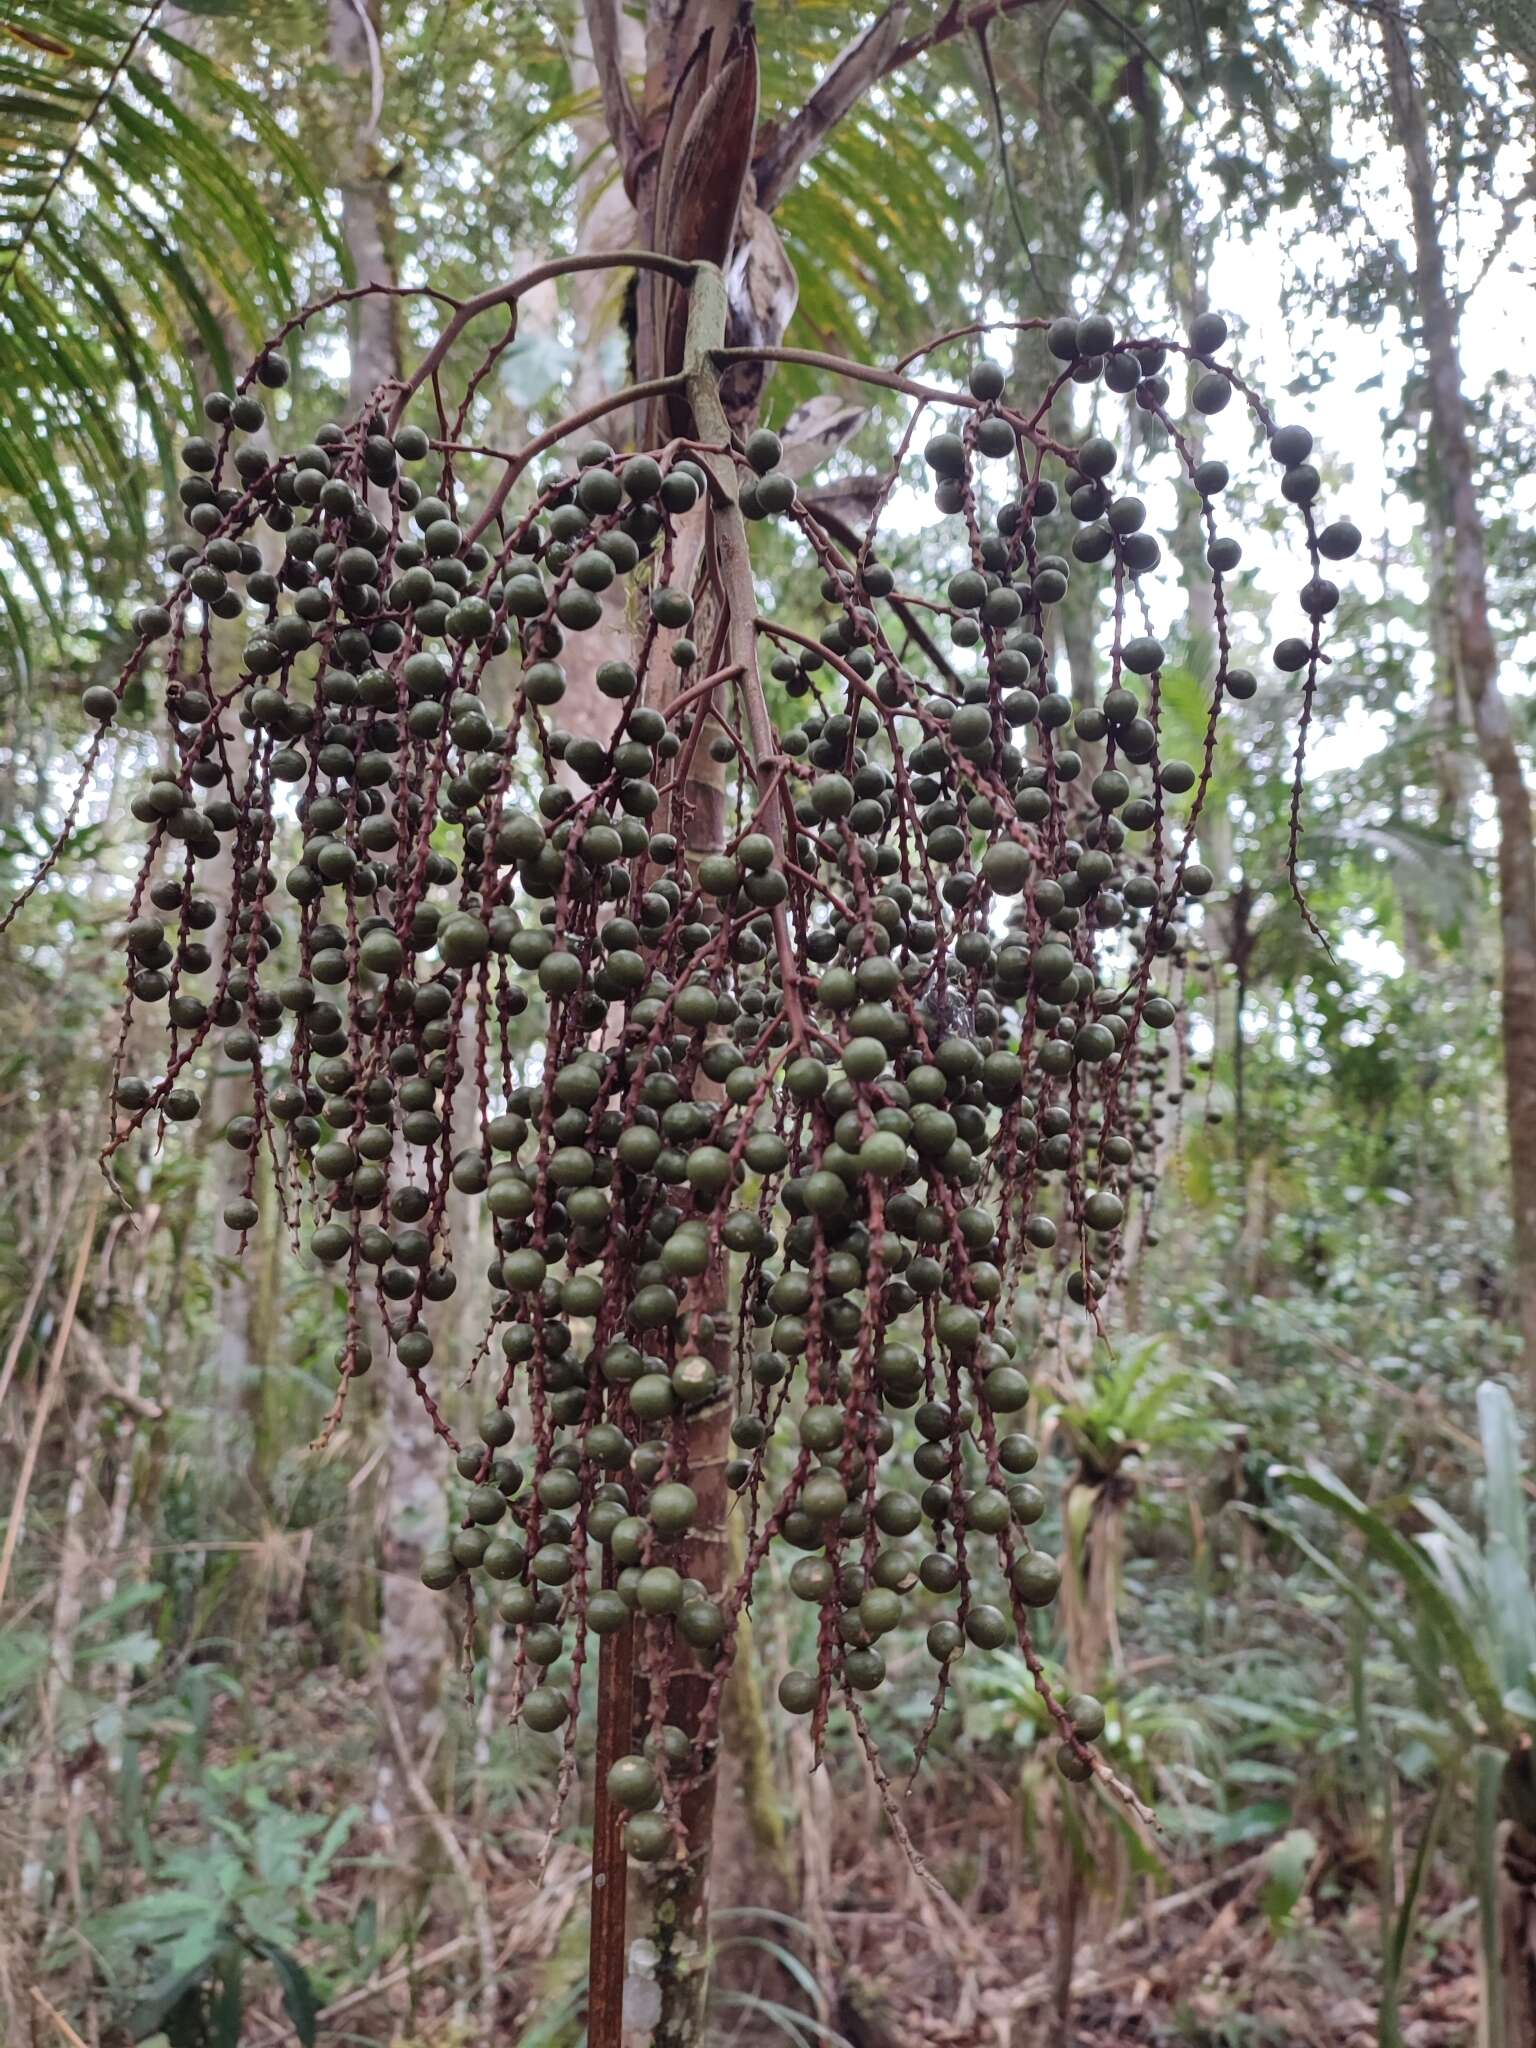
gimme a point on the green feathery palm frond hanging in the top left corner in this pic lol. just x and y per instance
(138, 251)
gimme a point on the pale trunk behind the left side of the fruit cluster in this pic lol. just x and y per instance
(415, 1648)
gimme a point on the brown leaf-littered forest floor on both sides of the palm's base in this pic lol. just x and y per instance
(847, 1949)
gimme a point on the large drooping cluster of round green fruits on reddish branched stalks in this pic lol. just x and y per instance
(790, 1123)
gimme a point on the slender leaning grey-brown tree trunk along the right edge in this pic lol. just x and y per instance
(1478, 667)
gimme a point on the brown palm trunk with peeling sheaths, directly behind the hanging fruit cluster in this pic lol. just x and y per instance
(701, 177)
